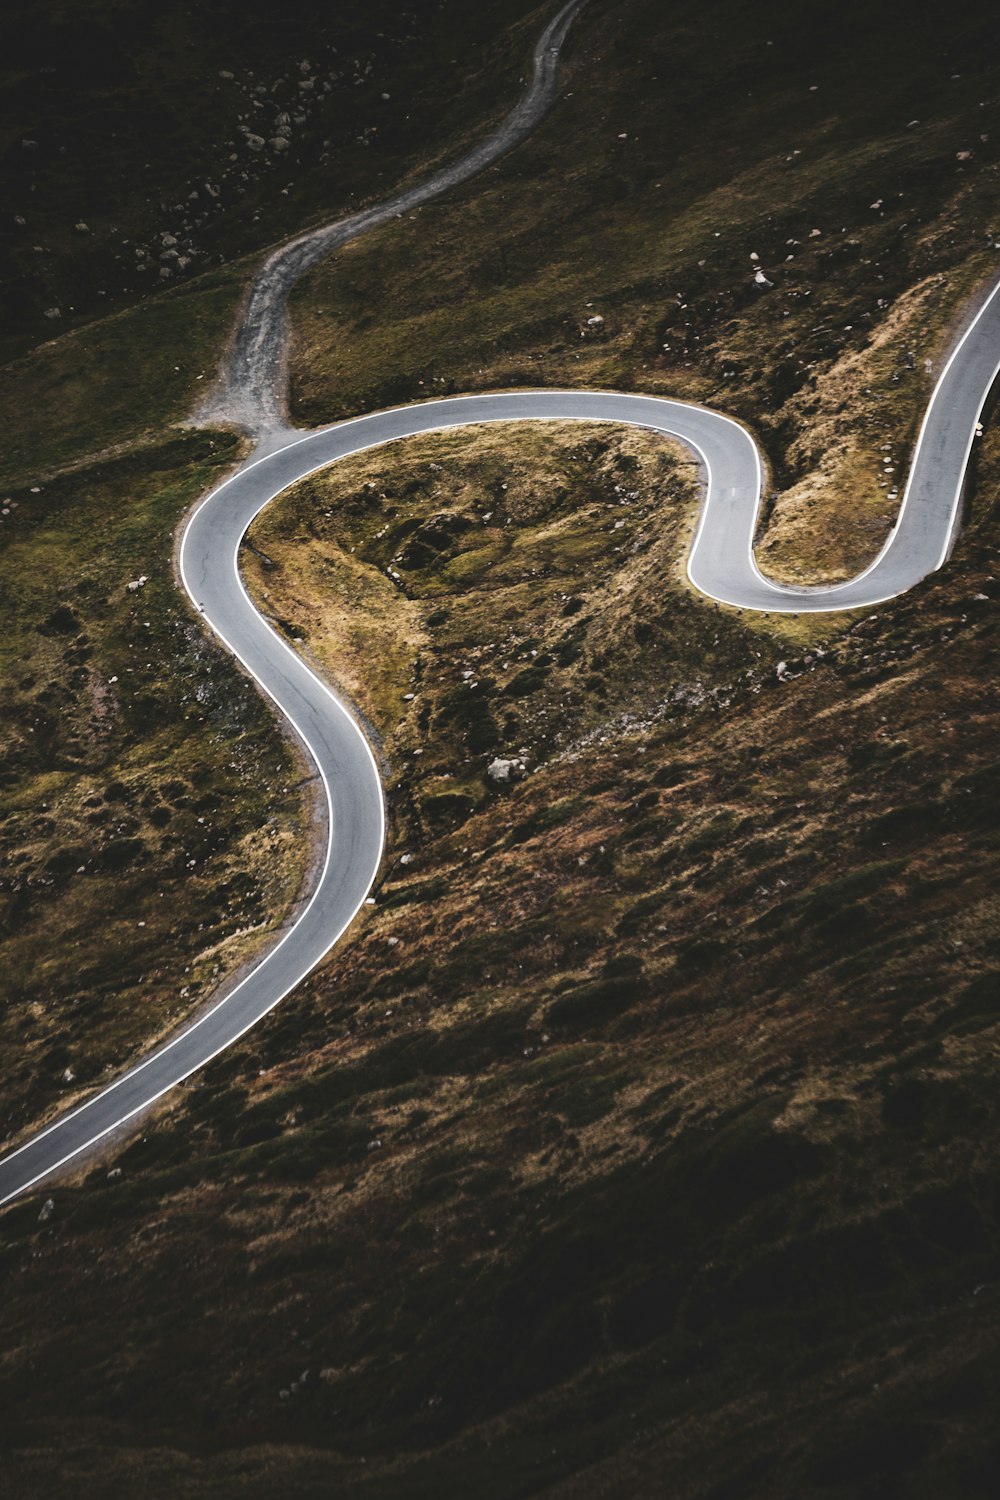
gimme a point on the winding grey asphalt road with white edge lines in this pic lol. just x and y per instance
(720, 565)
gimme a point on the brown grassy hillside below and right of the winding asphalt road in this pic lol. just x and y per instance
(647, 1124)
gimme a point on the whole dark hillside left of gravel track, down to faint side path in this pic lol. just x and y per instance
(131, 115)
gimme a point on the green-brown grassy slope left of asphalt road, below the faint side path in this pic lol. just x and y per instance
(151, 823)
